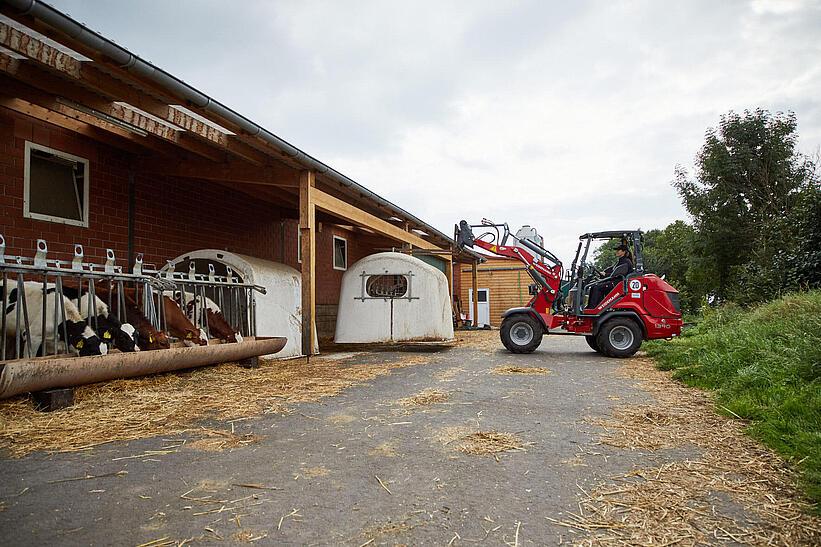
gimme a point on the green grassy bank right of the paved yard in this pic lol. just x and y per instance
(765, 366)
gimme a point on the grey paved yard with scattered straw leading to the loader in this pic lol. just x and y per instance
(372, 465)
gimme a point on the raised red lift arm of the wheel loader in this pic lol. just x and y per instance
(547, 274)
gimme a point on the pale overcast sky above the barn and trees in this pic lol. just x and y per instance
(569, 116)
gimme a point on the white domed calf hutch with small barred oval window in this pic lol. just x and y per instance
(393, 297)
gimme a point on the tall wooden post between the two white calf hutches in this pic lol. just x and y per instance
(307, 227)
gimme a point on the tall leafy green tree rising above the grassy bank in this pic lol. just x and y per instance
(748, 181)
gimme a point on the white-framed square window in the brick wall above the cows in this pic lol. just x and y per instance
(55, 186)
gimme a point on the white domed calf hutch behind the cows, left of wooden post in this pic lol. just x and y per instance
(278, 312)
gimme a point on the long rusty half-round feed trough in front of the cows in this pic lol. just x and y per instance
(41, 373)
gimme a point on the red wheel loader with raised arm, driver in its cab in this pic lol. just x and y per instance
(641, 306)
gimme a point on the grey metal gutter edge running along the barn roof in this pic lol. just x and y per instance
(76, 30)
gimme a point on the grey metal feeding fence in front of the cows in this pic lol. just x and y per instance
(38, 293)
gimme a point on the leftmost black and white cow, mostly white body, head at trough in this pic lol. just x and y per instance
(82, 339)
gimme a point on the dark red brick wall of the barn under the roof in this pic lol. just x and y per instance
(172, 216)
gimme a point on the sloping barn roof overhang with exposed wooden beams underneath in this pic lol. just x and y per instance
(79, 73)
